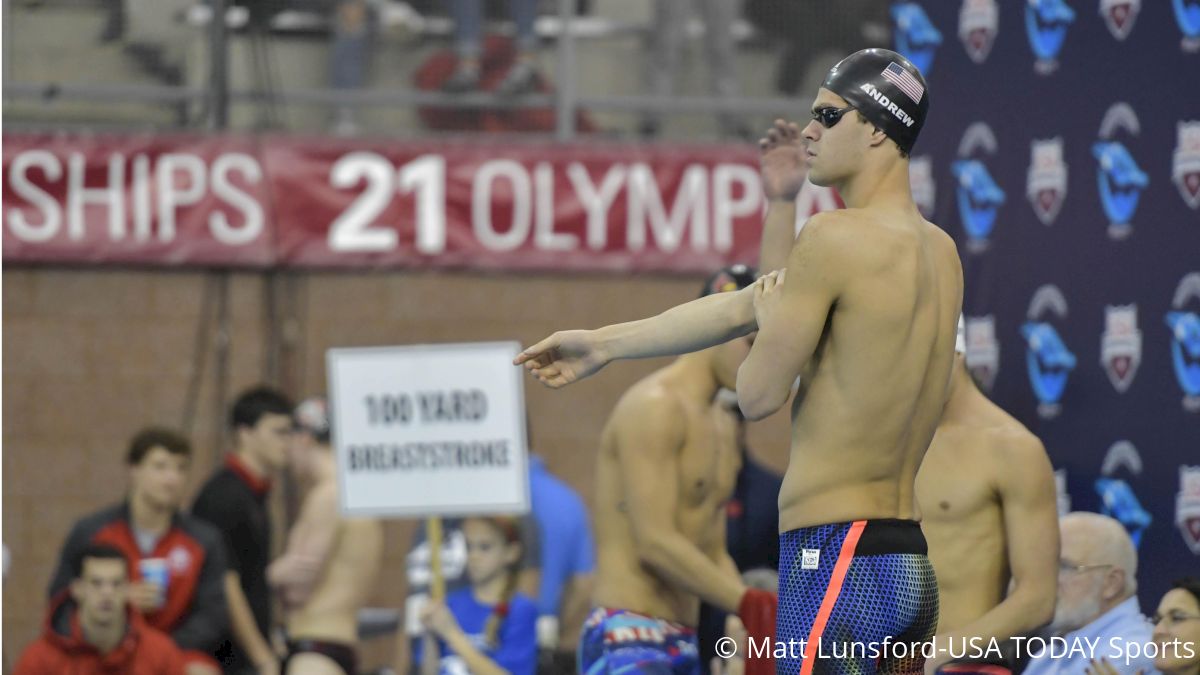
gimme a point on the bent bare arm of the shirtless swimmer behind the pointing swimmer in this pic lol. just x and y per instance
(650, 434)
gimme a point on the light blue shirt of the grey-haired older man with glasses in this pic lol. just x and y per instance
(1109, 637)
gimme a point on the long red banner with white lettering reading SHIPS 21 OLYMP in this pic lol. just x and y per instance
(284, 201)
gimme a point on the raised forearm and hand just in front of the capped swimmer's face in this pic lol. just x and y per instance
(783, 169)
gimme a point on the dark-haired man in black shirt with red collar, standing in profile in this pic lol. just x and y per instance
(235, 501)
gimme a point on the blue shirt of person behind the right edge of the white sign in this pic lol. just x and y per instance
(567, 548)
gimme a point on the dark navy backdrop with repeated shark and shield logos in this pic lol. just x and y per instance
(1063, 152)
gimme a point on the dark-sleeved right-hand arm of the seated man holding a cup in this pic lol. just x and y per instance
(209, 616)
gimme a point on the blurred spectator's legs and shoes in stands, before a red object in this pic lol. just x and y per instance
(523, 77)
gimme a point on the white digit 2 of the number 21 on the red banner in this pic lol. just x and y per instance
(355, 230)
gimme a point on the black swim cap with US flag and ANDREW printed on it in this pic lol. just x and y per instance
(886, 89)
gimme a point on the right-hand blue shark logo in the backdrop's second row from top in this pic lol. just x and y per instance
(1121, 181)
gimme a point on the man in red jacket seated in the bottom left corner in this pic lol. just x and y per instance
(93, 629)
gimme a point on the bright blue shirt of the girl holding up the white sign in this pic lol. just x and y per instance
(518, 649)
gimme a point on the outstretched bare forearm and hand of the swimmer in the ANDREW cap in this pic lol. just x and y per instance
(571, 356)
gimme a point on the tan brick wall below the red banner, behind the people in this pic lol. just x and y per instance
(92, 356)
